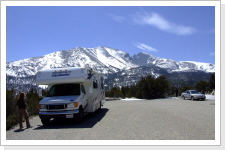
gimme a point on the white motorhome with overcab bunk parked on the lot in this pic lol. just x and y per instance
(72, 92)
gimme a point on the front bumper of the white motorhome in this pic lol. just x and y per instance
(58, 114)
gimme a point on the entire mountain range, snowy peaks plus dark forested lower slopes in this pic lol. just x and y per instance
(118, 67)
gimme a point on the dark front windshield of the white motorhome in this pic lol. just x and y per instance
(64, 90)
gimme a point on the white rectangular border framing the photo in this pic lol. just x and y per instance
(217, 140)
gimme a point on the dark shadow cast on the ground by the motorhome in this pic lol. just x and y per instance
(89, 121)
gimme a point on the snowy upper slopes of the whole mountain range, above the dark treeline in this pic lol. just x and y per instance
(103, 59)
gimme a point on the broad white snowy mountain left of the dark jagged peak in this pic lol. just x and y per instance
(103, 59)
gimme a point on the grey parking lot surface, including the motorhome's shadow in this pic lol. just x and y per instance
(161, 119)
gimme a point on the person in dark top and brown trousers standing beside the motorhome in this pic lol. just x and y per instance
(23, 111)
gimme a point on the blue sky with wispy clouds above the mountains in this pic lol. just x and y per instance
(181, 33)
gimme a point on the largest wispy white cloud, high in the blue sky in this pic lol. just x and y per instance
(161, 23)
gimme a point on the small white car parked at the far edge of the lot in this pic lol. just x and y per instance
(193, 95)
